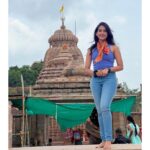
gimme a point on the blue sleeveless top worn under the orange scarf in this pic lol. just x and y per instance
(106, 62)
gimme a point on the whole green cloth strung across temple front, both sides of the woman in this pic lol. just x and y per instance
(70, 115)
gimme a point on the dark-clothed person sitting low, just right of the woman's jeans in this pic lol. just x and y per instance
(120, 139)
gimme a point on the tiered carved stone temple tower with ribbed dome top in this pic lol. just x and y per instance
(62, 75)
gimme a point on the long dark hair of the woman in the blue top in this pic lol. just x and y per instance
(110, 38)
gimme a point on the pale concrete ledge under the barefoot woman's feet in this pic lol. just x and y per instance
(82, 147)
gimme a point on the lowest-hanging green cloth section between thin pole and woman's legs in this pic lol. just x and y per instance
(70, 115)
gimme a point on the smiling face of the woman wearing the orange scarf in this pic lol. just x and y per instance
(101, 33)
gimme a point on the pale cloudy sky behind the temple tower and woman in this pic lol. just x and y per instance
(32, 22)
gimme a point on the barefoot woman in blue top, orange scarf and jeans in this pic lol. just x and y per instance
(103, 83)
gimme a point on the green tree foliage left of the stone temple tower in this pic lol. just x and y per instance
(30, 74)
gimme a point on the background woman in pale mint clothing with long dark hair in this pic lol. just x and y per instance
(133, 131)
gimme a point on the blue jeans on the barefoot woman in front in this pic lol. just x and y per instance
(103, 89)
